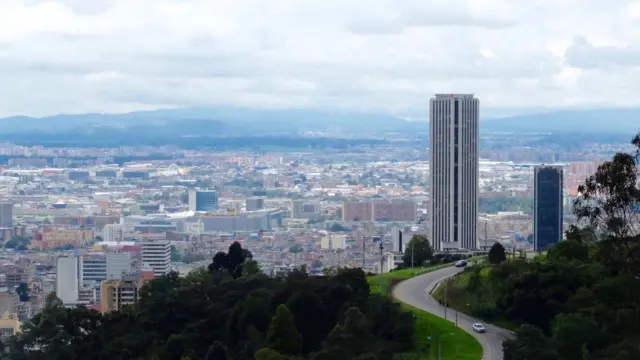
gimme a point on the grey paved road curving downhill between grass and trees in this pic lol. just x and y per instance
(416, 292)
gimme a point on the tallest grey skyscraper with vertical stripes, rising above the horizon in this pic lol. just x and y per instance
(453, 163)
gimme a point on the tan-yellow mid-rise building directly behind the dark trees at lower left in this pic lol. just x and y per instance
(116, 293)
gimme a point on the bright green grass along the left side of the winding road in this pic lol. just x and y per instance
(428, 325)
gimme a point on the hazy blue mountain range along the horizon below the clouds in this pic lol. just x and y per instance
(242, 121)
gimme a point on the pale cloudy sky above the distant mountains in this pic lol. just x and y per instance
(76, 56)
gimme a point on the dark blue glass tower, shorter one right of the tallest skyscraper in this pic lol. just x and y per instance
(547, 214)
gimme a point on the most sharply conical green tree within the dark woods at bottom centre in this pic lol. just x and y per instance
(282, 335)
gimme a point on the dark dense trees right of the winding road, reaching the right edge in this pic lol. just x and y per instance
(585, 298)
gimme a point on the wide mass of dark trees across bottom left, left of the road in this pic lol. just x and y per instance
(222, 313)
